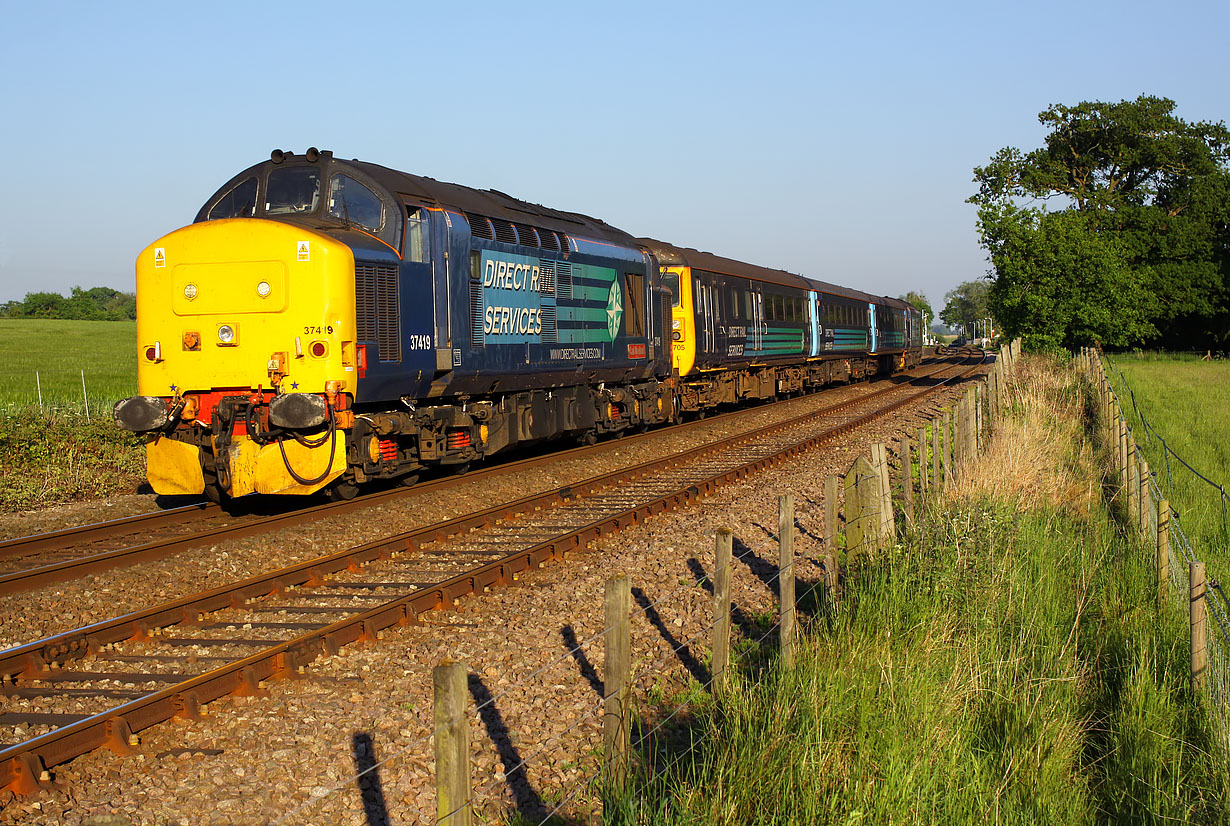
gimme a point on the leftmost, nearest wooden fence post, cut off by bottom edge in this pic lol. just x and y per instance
(453, 806)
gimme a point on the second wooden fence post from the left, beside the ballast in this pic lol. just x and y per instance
(617, 679)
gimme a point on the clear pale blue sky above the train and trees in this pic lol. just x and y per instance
(835, 140)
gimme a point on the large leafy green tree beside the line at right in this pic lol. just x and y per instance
(1115, 232)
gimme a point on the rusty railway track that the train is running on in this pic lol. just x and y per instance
(72, 554)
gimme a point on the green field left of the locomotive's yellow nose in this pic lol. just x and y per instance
(58, 352)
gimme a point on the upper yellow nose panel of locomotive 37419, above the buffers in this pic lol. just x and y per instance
(240, 292)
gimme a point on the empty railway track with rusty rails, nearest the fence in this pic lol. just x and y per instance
(100, 685)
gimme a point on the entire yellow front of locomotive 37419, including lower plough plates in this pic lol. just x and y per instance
(242, 309)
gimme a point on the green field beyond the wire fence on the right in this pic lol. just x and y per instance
(1188, 404)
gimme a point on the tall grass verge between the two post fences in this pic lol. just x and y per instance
(1003, 664)
